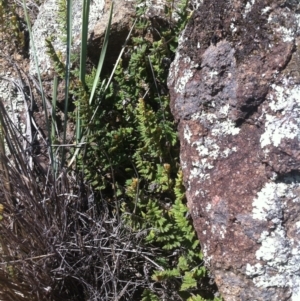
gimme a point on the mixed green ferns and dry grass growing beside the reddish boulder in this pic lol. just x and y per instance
(113, 220)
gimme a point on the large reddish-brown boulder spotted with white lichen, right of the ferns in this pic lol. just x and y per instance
(235, 91)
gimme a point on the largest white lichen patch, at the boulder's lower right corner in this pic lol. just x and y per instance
(279, 255)
